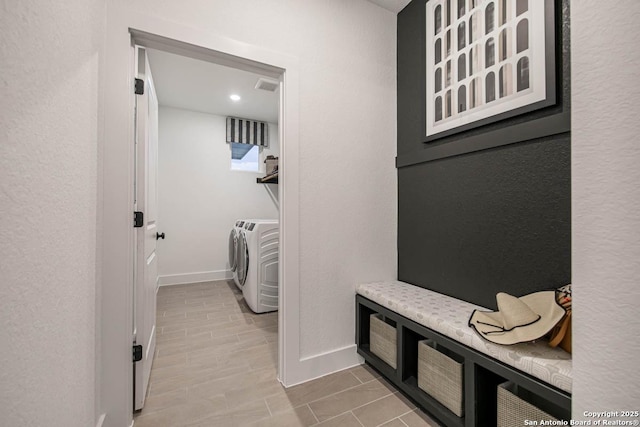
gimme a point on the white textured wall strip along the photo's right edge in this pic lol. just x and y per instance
(606, 204)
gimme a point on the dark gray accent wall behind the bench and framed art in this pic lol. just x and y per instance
(496, 220)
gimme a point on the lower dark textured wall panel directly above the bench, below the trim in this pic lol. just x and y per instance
(487, 222)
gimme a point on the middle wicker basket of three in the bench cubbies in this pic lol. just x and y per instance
(441, 376)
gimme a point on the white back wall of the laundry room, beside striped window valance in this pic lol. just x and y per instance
(200, 197)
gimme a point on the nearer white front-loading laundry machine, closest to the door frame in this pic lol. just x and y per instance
(257, 264)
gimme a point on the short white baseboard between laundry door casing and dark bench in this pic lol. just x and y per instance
(319, 365)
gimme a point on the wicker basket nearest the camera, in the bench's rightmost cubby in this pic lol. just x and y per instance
(515, 405)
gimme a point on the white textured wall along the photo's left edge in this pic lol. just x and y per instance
(50, 55)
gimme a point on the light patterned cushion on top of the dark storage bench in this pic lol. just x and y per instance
(449, 316)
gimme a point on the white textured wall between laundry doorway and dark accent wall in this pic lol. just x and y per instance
(347, 104)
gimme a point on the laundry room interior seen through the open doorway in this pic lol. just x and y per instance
(217, 216)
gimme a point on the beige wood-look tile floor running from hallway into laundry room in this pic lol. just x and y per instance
(215, 365)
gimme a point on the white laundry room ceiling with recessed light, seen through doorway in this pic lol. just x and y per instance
(202, 86)
